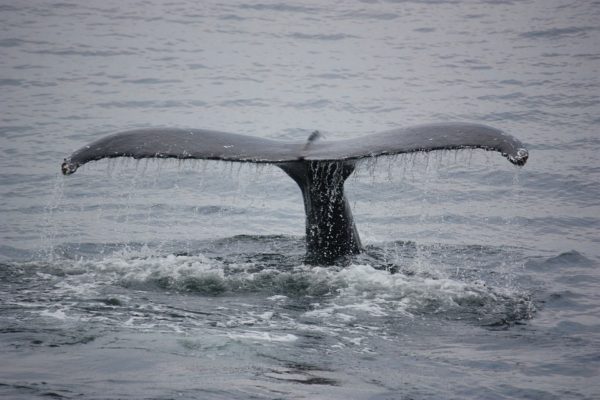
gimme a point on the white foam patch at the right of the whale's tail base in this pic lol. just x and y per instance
(364, 291)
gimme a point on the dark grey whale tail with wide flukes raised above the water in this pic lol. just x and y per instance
(319, 167)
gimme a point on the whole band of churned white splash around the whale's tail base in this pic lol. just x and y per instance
(344, 295)
